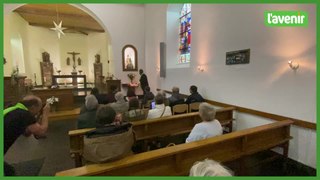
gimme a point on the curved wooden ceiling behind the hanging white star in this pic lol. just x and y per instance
(74, 19)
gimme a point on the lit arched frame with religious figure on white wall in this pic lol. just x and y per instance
(129, 58)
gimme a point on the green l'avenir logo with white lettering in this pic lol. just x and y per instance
(286, 18)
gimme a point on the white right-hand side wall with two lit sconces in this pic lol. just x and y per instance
(266, 83)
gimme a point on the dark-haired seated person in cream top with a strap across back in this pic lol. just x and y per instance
(160, 110)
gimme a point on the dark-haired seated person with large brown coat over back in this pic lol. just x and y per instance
(109, 141)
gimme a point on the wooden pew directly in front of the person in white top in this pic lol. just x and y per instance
(148, 129)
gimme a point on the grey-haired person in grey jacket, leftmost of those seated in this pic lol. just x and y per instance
(87, 115)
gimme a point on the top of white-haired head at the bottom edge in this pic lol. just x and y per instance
(209, 167)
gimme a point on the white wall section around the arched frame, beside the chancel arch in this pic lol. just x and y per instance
(125, 24)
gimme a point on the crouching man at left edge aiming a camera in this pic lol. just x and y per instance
(20, 119)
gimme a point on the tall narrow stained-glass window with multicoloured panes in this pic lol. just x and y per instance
(185, 34)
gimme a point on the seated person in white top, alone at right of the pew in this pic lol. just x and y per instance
(209, 126)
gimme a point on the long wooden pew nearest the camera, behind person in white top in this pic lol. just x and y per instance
(177, 160)
